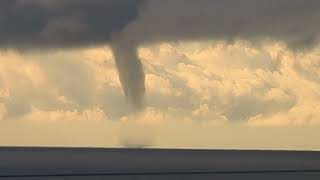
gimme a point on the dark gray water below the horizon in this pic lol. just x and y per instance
(122, 164)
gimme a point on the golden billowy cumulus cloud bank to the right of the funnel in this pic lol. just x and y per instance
(261, 83)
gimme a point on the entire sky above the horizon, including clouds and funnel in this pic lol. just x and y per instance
(205, 74)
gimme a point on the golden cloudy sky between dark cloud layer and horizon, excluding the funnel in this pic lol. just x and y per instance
(205, 94)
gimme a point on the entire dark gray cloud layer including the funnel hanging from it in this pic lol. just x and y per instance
(61, 23)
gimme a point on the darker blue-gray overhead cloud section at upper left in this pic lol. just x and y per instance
(58, 23)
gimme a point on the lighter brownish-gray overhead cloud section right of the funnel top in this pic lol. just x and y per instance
(292, 21)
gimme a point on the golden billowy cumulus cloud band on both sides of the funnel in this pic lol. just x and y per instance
(199, 84)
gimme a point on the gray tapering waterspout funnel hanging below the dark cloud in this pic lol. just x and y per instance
(131, 73)
